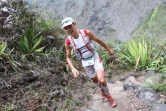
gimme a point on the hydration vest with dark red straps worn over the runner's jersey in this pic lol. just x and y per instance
(87, 45)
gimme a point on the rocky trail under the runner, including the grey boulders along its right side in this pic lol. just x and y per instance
(127, 99)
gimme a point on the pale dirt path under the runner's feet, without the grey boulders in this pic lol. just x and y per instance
(118, 93)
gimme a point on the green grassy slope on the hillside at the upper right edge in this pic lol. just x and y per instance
(153, 25)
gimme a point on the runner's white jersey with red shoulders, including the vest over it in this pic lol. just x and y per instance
(83, 46)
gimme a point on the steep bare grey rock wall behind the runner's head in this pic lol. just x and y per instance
(108, 19)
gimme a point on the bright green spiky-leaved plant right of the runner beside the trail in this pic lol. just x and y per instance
(136, 54)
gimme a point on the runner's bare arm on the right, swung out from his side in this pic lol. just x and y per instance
(99, 41)
